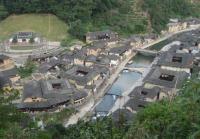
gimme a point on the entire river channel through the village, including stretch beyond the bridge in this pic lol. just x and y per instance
(127, 79)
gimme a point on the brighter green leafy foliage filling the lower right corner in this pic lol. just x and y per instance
(176, 119)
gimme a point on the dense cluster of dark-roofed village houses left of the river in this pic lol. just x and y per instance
(70, 78)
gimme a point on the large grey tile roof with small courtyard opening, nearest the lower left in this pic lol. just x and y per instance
(44, 89)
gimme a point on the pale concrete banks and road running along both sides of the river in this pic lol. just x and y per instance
(89, 107)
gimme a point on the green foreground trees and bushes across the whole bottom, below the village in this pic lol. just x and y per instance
(168, 119)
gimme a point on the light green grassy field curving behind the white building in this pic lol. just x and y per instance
(49, 26)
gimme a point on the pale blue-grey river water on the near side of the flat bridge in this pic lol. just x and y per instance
(124, 82)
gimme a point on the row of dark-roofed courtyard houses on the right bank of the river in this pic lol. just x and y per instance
(173, 67)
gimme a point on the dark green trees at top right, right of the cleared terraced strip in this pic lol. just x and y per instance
(161, 11)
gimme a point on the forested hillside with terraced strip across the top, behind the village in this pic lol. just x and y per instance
(124, 16)
